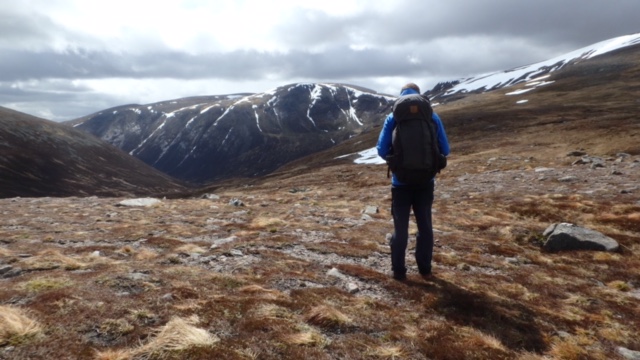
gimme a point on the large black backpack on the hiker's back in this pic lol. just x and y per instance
(415, 156)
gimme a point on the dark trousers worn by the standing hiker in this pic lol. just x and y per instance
(420, 199)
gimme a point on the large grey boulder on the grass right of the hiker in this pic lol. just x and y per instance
(564, 236)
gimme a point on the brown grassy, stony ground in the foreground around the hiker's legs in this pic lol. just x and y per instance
(299, 267)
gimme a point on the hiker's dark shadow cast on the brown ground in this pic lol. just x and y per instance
(512, 323)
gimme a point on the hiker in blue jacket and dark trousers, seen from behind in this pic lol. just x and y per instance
(411, 194)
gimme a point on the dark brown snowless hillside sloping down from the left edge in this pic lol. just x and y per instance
(44, 158)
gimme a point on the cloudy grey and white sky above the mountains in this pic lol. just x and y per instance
(63, 59)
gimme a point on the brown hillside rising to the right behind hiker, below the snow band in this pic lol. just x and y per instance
(589, 105)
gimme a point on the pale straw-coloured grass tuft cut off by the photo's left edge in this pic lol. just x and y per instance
(16, 326)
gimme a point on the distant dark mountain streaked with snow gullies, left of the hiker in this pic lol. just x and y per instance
(208, 138)
